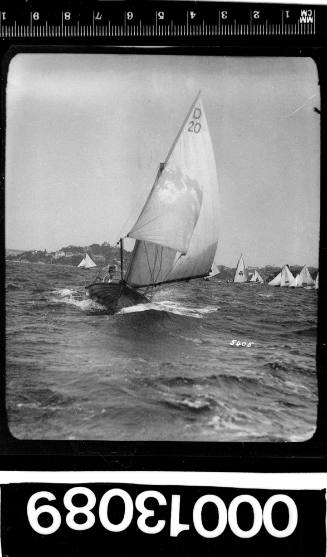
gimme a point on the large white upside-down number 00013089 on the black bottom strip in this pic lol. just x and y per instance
(224, 517)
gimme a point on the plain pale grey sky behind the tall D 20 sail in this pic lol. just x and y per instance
(86, 133)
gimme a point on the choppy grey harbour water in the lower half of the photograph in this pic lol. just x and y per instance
(162, 371)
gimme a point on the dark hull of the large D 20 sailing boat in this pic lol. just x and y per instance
(115, 295)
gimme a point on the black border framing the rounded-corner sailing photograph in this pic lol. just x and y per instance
(205, 456)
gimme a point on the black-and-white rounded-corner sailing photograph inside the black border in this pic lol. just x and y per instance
(162, 234)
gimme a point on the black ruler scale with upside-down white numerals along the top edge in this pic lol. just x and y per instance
(160, 20)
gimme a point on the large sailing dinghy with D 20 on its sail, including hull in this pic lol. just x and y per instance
(176, 232)
